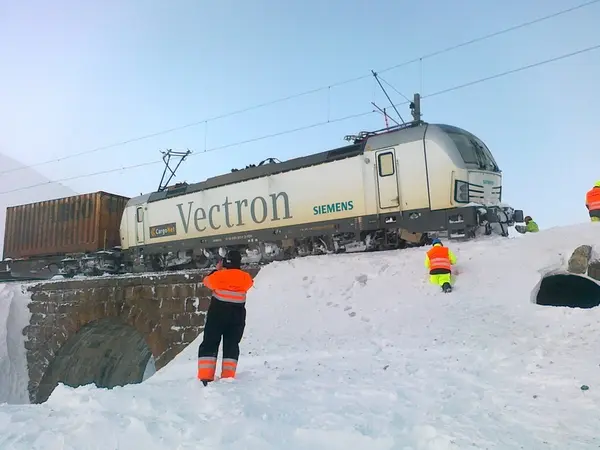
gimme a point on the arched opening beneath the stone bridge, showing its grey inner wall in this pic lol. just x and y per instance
(106, 352)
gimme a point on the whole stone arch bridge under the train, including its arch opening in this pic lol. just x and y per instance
(107, 330)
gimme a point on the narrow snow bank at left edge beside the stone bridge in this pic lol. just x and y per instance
(14, 316)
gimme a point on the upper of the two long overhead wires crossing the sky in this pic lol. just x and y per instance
(308, 92)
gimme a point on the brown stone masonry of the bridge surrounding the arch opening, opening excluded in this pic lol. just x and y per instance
(168, 310)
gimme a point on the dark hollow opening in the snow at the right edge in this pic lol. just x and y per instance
(568, 290)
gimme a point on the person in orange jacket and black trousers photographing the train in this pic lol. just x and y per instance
(226, 317)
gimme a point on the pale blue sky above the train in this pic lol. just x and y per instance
(80, 75)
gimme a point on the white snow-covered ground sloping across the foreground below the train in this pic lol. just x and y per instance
(360, 352)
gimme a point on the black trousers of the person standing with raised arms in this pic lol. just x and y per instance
(223, 320)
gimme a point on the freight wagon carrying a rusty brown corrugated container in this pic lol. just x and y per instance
(41, 238)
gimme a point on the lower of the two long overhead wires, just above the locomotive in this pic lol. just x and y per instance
(319, 124)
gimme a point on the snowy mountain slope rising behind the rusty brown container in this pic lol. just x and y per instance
(14, 175)
